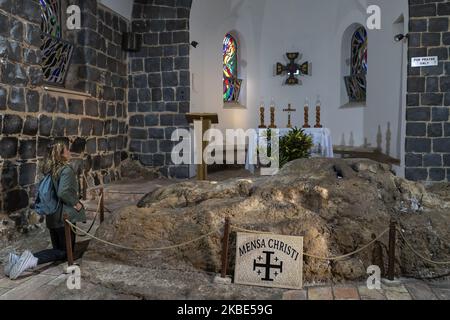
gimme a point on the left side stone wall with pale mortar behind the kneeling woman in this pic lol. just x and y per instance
(31, 118)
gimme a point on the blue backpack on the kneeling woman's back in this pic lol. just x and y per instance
(47, 202)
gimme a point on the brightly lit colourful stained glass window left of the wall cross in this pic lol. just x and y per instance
(231, 83)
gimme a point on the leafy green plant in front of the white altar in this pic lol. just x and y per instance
(295, 145)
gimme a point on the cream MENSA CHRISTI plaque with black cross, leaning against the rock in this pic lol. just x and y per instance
(269, 261)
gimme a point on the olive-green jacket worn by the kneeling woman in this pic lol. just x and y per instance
(68, 193)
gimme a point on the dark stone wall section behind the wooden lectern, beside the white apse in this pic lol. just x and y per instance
(159, 83)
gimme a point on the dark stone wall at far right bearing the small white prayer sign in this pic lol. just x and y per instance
(428, 124)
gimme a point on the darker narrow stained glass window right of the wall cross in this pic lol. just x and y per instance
(356, 82)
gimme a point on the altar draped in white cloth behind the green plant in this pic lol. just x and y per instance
(323, 146)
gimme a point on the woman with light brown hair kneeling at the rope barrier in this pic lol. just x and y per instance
(65, 181)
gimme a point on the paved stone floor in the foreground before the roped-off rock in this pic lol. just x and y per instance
(44, 285)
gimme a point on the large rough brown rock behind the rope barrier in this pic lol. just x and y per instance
(336, 205)
